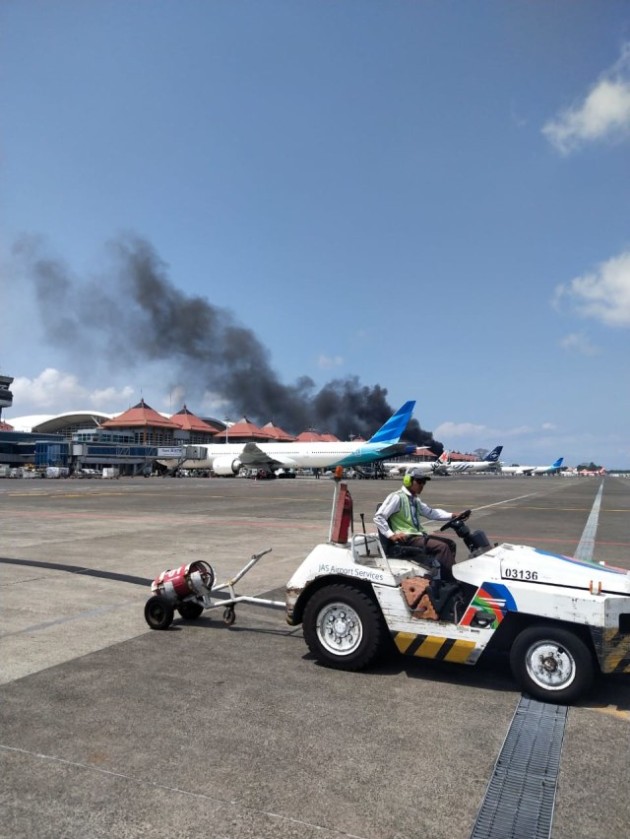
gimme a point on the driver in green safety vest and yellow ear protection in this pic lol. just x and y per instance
(398, 521)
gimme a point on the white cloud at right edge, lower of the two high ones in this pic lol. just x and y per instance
(603, 295)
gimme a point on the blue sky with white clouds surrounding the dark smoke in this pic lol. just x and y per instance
(430, 197)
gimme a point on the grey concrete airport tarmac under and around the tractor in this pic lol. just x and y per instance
(113, 731)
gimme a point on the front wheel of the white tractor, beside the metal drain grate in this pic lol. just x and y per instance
(552, 664)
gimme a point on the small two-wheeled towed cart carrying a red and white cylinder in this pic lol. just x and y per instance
(190, 590)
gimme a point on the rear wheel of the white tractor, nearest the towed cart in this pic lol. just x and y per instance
(343, 627)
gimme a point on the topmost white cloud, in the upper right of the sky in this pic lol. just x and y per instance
(603, 114)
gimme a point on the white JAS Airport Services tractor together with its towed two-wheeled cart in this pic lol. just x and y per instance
(562, 620)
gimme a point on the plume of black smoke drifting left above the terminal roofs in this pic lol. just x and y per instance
(135, 313)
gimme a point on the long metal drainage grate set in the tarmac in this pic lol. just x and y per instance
(519, 800)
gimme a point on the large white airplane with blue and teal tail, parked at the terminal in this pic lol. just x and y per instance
(229, 458)
